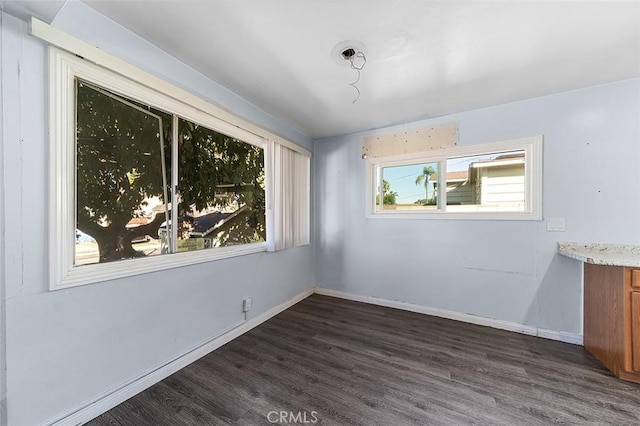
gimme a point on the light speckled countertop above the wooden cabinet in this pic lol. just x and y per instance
(602, 254)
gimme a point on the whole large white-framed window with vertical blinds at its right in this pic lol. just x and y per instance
(142, 181)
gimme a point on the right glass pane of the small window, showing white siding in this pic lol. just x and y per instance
(489, 182)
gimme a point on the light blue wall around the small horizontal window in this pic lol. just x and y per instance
(505, 270)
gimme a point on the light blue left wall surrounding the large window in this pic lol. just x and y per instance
(66, 348)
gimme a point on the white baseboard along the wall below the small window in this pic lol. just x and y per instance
(562, 336)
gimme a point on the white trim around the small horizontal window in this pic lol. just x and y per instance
(533, 181)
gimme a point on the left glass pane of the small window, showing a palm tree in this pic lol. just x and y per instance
(407, 187)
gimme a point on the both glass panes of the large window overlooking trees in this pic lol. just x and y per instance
(123, 182)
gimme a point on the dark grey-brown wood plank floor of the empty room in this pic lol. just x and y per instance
(342, 363)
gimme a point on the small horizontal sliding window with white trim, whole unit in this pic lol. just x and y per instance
(489, 181)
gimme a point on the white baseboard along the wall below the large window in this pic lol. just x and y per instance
(117, 396)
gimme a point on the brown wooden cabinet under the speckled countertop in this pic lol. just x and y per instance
(612, 318)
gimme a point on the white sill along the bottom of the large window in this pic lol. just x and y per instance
(95, 273)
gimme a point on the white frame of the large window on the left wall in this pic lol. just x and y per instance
(64, 69)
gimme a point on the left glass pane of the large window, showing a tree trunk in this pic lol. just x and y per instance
(121, 152)
